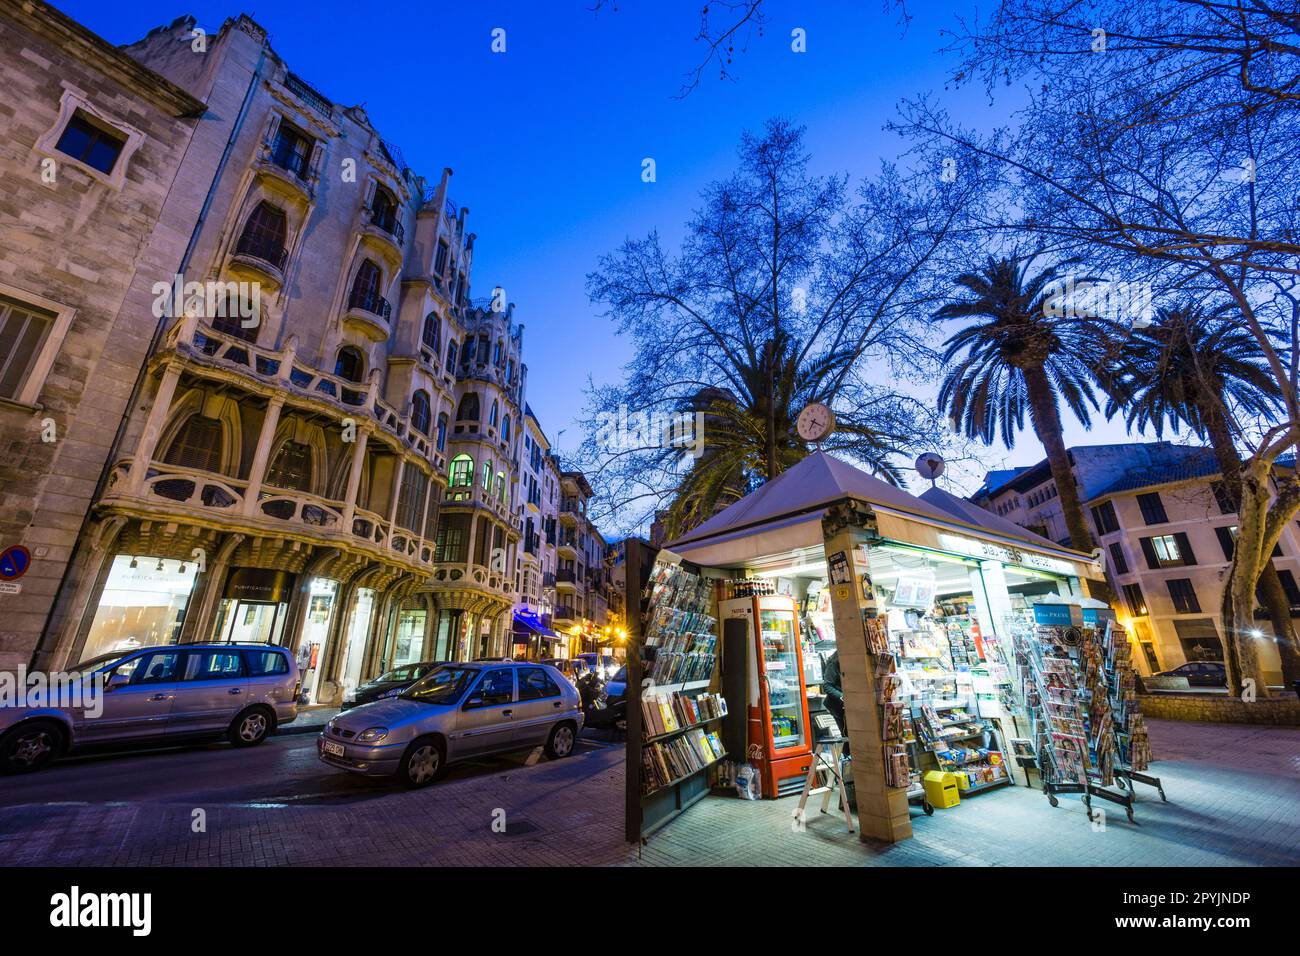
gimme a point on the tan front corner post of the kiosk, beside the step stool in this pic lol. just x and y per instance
(850, 529)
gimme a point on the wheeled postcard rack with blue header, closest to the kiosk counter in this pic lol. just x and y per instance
(1060, 720)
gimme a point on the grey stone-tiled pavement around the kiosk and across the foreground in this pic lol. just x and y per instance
(1234, 801)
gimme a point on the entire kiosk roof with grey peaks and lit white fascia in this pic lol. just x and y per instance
(786, 514)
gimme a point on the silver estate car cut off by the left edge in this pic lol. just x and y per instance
(176, 693)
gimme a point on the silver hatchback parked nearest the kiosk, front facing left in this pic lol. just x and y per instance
(457, 712)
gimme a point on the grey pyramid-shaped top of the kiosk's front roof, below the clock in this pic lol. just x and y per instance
(814, 483)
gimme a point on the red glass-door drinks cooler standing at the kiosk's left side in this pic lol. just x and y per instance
(777, 700)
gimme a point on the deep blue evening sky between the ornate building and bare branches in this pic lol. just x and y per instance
(547, 140)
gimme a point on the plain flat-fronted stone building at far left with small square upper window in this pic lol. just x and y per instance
(97, 205)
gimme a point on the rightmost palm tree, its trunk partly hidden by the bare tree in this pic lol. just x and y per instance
(1204, 373)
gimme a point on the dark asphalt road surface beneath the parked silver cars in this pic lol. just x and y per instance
(281, 772)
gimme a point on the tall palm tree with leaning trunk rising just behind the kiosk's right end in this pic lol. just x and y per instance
(1025, 357)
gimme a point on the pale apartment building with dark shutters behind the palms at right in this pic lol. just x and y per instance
(1160, 516)
